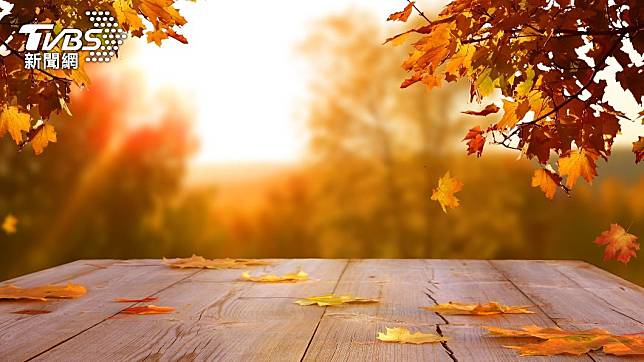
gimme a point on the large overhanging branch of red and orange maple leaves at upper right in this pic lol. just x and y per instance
(554, 110)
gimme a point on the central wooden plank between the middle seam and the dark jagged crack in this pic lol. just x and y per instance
(347, 333)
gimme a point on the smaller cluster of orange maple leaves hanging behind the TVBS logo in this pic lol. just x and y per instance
(28, 97)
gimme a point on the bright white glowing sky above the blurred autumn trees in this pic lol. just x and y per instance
(243, 76)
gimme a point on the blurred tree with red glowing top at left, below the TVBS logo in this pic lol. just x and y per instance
(92, 195)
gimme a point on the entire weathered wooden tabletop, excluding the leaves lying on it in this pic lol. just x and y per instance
(220, 317)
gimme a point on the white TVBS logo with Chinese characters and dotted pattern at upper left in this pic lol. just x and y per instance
(46, 46)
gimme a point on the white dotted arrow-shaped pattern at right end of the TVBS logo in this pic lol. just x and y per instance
(111, 34)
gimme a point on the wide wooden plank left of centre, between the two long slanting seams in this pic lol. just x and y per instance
(218, 317)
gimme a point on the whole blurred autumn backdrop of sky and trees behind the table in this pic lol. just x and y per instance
(281, 131)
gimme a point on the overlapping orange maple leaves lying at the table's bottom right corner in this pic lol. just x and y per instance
(558, 341)
